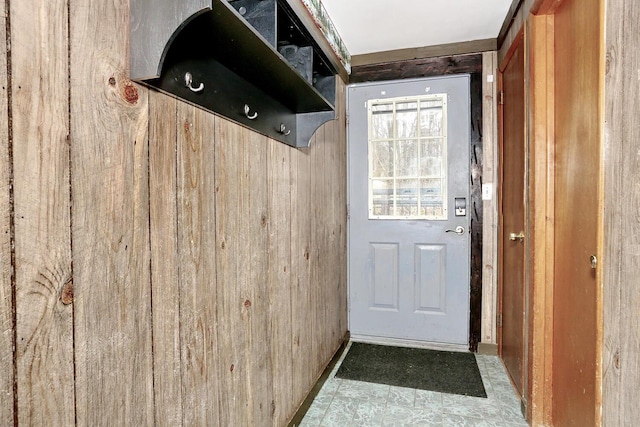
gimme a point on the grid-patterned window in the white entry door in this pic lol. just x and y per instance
(408, 157)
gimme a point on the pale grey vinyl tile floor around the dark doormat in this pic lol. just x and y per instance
(344, 403)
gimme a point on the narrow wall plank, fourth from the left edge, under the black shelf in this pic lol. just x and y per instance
(165, 268)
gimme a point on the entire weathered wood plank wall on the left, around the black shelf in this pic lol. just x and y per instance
(159, 265)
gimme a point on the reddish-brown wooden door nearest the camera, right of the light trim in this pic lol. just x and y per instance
(576, 328)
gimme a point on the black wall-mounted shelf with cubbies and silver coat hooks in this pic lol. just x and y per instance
(251, 61)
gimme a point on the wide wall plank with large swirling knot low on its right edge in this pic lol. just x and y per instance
(44, 288)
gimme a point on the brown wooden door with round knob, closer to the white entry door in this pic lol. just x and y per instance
(512, 214)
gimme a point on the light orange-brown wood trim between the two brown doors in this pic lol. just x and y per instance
(541, 134)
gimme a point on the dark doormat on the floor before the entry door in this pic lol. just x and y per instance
(443, 371)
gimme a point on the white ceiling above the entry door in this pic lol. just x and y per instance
(368, 26)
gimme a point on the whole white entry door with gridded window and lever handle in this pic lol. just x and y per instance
(409, 242)
